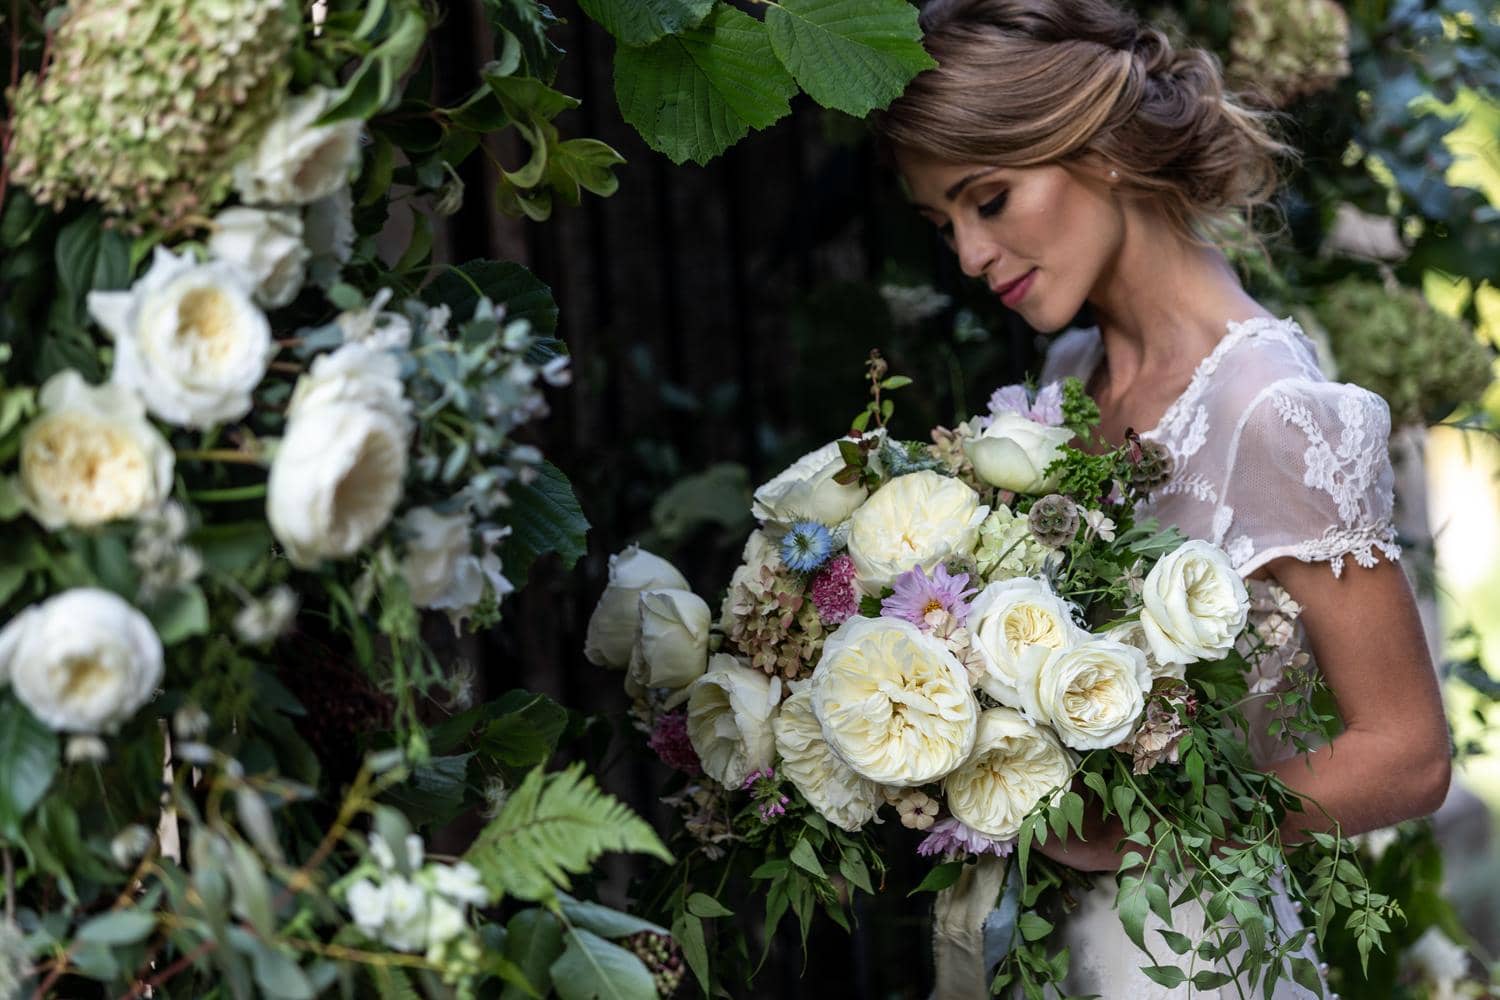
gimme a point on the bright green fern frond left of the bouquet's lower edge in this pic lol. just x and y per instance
(553, 827)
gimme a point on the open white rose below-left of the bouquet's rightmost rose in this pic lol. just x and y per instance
(1091, 695)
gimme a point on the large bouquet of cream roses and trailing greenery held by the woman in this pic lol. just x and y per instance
(977, 636)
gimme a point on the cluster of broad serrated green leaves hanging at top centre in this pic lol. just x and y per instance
(694, 77)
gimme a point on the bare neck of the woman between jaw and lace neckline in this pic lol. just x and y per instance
(1165, 304)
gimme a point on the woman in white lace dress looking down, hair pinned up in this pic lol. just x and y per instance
(1072, 157)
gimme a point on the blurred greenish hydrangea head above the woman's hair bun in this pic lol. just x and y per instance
(1289, 49)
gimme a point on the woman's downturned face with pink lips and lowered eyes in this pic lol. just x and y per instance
(1043, 238)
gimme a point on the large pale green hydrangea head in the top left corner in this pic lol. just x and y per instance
(148, 104)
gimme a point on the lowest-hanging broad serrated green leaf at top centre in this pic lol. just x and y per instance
(697, 94)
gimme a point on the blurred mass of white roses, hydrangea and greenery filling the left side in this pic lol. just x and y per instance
(241, 458)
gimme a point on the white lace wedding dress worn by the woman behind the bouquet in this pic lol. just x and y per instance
(1270, 460)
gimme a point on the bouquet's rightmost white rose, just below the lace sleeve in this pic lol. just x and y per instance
(1195, 605)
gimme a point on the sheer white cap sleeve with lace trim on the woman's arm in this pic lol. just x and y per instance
(1309, 478)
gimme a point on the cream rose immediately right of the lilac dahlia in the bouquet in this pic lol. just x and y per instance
(1016, 626)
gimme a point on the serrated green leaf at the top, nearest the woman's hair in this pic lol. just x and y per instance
(850, 55)
